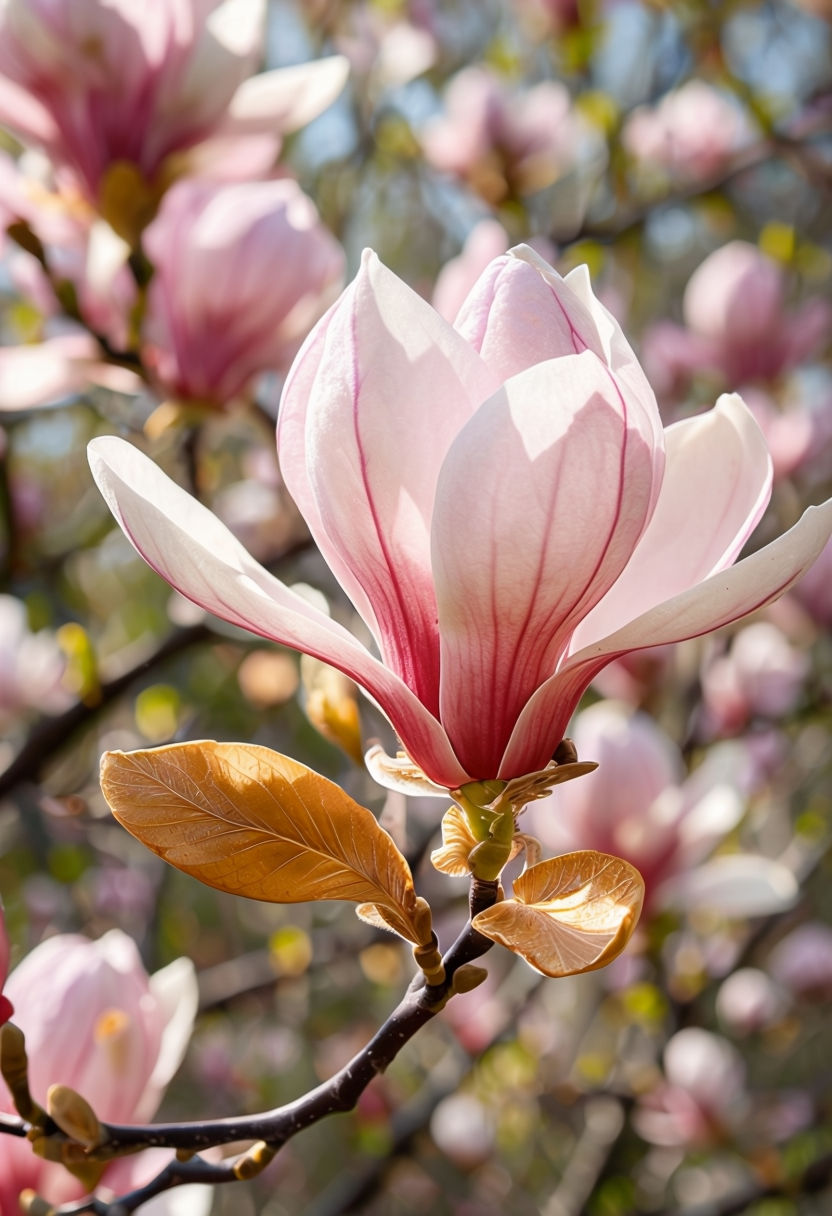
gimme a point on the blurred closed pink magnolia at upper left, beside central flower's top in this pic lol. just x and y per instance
(243, 272)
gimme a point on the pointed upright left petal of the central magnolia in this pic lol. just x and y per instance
(372, 406)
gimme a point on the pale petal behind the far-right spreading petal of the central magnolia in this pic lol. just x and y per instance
(717, 486)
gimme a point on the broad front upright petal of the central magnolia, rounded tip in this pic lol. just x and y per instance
(524, 553)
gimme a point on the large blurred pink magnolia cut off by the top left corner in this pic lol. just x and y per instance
(104, 82)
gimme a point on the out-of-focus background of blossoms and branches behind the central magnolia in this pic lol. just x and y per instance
(684, 151)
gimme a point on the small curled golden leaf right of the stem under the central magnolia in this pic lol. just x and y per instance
(569, 915)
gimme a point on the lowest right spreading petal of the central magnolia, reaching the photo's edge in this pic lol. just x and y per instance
(721, 600)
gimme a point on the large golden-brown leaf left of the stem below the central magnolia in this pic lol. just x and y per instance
(252, 823)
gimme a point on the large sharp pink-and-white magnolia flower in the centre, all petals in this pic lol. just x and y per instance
(501, 503)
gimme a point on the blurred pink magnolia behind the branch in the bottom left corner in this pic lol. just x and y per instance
(95, 1022)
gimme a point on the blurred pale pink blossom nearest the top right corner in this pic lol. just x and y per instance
(694, 132)
